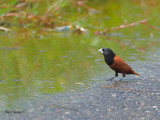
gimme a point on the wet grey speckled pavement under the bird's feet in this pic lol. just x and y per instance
(130, 98)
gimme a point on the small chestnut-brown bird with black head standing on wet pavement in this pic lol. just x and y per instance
(116, 63)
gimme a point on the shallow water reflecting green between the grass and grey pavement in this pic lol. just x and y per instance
(55, 64)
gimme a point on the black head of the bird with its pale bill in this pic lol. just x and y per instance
(108, 55)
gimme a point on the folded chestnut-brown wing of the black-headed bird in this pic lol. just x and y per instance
(119, 62)
